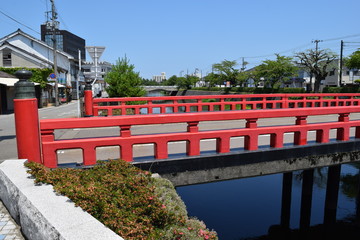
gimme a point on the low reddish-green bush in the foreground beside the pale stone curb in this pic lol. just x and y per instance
(126, 199)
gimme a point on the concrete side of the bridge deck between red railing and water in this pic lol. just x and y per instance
(203, 169)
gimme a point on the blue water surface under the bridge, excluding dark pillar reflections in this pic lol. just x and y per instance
(247, 208)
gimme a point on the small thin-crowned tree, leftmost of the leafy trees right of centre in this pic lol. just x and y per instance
(227, 71)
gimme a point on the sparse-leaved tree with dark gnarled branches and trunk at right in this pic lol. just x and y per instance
(317, 63)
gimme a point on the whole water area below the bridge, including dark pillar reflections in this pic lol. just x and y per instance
(309, 204)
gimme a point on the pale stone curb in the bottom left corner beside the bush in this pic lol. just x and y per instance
(41, 213)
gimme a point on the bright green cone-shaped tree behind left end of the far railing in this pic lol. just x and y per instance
(123, 80)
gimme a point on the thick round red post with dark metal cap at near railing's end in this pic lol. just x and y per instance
(26, 118)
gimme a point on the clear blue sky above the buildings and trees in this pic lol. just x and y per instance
(173, 36)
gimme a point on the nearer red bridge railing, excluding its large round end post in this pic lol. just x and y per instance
(192, 135)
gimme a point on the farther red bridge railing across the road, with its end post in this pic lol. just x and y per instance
(175, 104)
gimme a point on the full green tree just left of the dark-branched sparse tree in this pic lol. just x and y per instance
(276, 71)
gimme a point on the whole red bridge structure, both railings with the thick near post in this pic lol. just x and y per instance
(298, 111)
